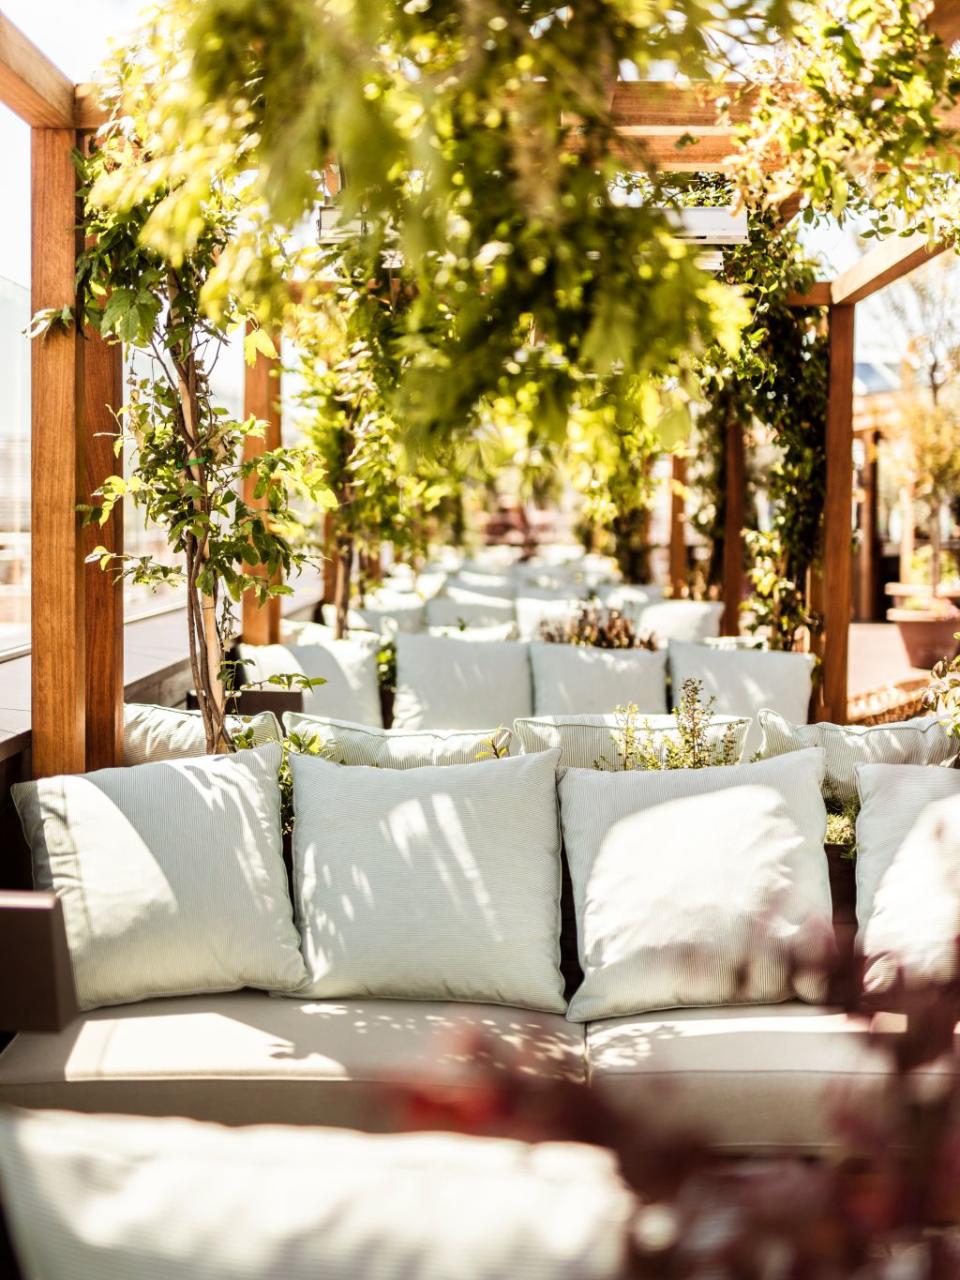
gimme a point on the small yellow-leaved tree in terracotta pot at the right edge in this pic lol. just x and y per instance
(931, 445)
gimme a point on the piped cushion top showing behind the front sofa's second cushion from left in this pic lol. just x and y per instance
(395, 748)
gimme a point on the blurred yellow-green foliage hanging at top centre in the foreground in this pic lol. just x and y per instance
(484, 176)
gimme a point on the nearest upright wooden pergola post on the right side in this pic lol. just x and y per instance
(838, 569)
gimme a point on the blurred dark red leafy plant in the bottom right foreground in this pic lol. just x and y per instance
(889, 1212)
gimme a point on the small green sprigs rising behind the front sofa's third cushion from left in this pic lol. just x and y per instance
(694, 747)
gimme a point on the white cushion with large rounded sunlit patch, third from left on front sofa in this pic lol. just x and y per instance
(697, 886)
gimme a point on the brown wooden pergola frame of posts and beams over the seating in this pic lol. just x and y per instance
(77, 610)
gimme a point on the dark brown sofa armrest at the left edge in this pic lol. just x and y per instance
(38, 991)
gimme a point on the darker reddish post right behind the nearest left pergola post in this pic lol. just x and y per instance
(103, 392)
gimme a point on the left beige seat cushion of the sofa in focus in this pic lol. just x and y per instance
(248, 1059)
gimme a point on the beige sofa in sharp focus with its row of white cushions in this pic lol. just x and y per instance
(440, 935)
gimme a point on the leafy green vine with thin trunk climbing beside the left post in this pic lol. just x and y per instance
(188, 467)
